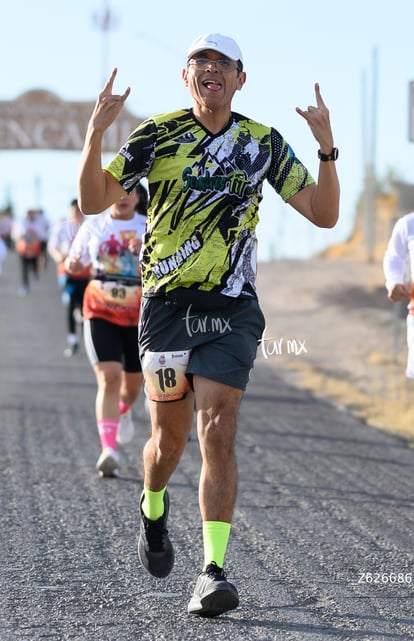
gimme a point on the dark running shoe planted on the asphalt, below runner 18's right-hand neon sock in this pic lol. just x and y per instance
(213, 594)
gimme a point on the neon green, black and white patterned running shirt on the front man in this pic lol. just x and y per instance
(205, 191)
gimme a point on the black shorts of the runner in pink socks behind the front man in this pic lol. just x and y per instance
(105, 341)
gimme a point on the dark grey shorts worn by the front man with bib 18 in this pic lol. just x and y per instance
(222, 339)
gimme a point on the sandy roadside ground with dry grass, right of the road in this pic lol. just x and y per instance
(331, 329)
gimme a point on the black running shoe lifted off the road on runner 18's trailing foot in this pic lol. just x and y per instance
(155, 549)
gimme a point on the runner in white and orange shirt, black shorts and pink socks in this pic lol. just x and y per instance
(110, 244)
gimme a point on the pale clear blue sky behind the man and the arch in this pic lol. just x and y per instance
(287, 47)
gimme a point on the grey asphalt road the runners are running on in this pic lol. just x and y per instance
(322, 540)
